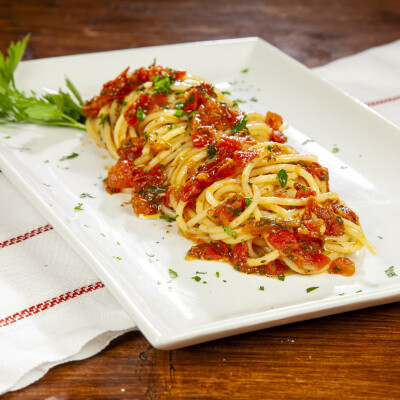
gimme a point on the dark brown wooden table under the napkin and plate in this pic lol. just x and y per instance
(354, 355)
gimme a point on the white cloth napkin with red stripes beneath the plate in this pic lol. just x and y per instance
(53, 309)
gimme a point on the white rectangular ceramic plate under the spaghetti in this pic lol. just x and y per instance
(133, 256)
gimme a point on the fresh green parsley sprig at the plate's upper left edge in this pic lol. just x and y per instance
(49, 109)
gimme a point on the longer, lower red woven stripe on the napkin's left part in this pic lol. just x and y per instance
(27, 312)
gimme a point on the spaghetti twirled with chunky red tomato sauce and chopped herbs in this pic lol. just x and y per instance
(186, 152)
